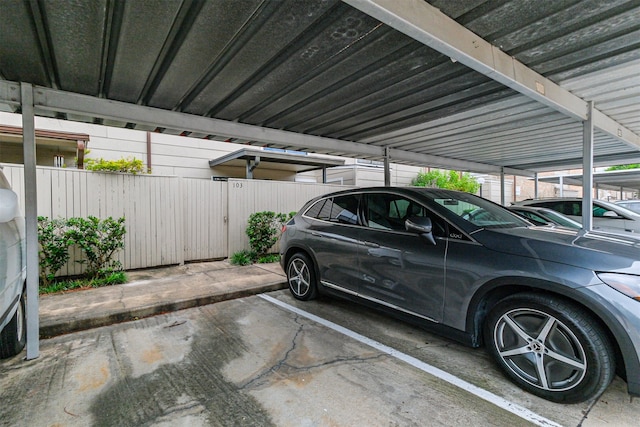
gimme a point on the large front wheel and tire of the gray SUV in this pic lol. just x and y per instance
(550, 347)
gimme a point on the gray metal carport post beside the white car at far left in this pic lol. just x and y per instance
(31, 218)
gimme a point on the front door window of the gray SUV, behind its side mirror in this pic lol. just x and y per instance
(389, 212)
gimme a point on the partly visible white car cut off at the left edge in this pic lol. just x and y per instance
(12, 272)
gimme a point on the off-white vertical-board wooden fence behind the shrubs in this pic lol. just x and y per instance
(169, 220)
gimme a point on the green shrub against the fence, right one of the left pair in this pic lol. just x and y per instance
(99, 241)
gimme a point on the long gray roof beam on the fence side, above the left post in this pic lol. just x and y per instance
(46, 99)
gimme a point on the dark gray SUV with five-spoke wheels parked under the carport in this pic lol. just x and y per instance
(557, 308)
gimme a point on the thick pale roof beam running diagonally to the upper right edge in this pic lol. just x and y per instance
(426, 24)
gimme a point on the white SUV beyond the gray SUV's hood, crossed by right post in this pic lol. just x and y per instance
(606, 216)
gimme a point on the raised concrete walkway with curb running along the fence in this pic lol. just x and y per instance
(154, 291)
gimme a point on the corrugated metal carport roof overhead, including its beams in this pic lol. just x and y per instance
(471, 84)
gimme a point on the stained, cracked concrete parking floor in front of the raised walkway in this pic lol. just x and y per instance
(254, 361)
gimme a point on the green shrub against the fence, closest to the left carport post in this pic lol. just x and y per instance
(54, 247)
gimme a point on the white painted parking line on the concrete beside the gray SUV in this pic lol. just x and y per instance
(425, 367)
